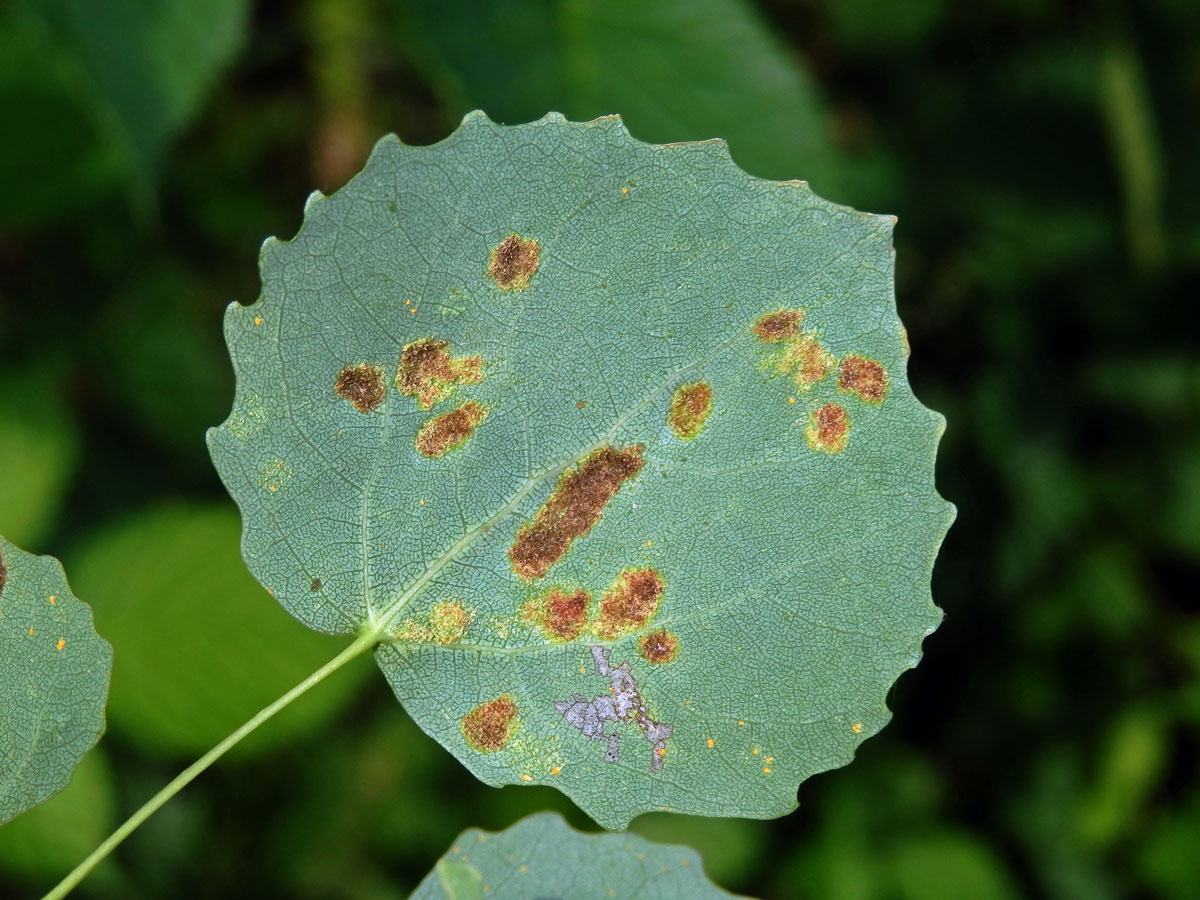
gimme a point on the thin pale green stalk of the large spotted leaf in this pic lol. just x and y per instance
(362, 645)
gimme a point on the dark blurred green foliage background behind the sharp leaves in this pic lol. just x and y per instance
(1043, 161)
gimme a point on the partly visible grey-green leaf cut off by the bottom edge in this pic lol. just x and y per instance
(542, 857)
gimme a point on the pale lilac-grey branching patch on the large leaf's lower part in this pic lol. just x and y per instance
(621, 704)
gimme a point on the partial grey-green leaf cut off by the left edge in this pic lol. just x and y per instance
(55, 675)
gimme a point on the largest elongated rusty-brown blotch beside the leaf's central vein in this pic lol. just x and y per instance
(573, 509)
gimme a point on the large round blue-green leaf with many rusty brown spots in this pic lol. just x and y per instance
(614, 446)
